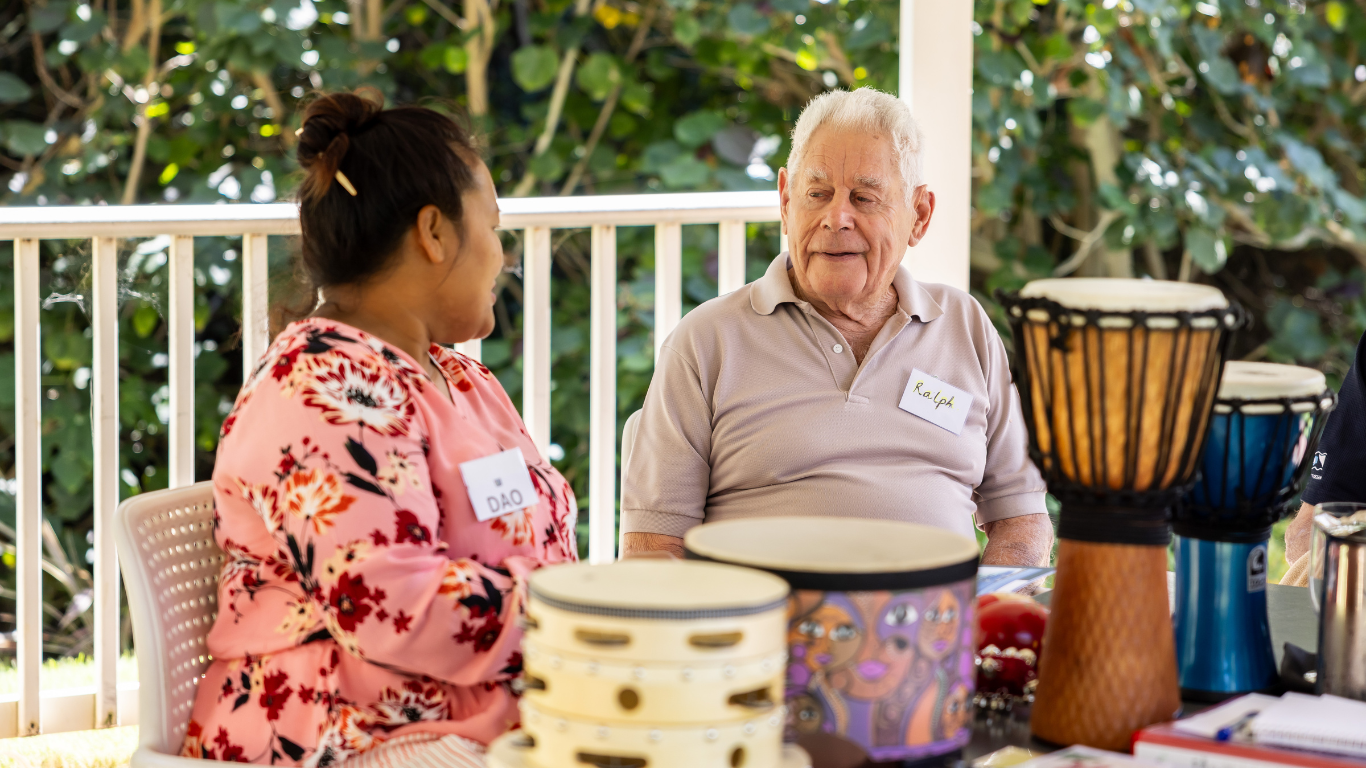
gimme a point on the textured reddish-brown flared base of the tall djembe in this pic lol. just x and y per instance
(1110, 655)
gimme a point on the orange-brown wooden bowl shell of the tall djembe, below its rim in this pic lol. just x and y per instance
(1103, 413)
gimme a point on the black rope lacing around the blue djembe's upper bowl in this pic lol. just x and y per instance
(1207, 513)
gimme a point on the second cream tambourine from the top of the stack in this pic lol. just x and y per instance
(659, 694)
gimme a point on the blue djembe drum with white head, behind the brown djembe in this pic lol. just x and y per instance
(1266, 426)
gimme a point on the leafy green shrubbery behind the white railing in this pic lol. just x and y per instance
(1214, 141)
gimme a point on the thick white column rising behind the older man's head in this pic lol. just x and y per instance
(936, 80)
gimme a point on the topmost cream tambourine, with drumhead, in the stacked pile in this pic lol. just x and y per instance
(666, 612)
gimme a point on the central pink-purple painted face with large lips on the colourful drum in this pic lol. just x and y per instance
(889, 650)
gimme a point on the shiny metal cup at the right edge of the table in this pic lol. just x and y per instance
(1338, 588)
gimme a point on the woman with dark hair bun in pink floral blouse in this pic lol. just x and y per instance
(379, 499)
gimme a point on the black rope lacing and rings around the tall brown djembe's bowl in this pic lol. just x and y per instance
(1098, 508)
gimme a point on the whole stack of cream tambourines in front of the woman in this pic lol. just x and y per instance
(652, 665)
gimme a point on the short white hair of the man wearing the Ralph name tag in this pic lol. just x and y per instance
(864, 111)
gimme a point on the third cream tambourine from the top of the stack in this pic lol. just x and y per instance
(561, 740)
